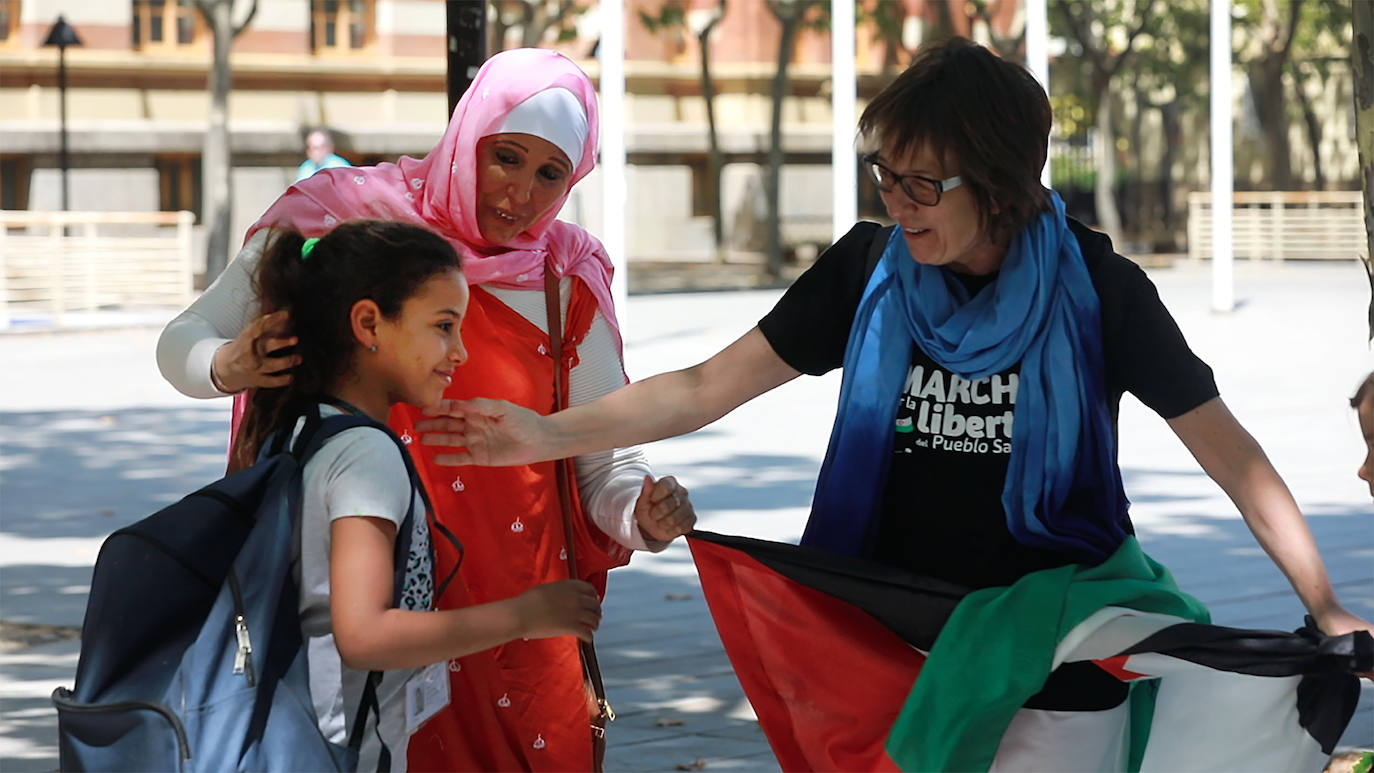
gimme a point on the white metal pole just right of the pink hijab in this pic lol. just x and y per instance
(612, 56)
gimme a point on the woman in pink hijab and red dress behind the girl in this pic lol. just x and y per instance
(521, 137)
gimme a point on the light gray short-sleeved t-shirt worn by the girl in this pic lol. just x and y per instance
(357, 473)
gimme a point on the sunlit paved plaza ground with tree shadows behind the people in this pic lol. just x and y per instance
(91, 439)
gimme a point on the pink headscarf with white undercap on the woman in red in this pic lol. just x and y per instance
(440, 190)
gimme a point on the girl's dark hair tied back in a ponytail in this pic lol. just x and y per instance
(379, 260)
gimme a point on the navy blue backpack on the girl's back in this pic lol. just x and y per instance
(192, 651)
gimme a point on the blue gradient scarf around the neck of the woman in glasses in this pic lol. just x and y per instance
(1063, 489)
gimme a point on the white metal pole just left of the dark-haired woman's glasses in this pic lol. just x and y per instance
(843, 98)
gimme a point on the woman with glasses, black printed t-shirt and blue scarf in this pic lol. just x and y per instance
(986, 341)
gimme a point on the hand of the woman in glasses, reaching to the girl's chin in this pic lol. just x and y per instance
(490, 433)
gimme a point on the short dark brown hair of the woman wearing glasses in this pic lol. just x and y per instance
(986, 116)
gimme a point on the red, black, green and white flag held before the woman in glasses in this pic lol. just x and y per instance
(829, 651)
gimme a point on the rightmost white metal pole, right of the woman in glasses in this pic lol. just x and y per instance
(1224, 281)
